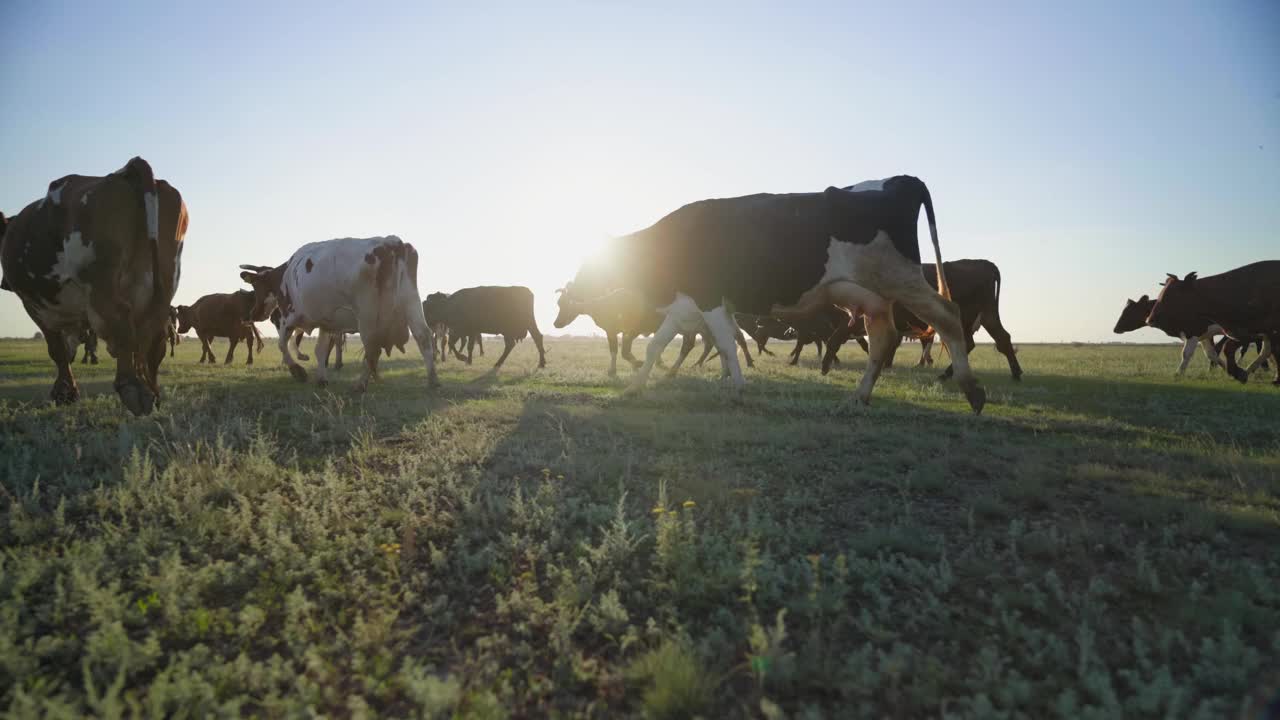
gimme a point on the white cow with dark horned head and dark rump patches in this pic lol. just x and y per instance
(342, 286)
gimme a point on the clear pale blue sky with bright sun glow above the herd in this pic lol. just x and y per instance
(1086, 148)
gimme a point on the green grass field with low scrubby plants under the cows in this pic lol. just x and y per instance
(1103, 543)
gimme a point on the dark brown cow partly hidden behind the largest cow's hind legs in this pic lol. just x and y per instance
(976, 289)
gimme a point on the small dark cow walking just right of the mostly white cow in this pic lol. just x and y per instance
(487, 309)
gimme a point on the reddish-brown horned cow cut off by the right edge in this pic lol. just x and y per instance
(1245, 303)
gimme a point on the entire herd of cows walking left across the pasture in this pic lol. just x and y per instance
(100, 257)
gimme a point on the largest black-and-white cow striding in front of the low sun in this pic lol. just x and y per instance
(790, 257)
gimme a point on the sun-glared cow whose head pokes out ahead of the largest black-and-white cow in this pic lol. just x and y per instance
(620, 312)
